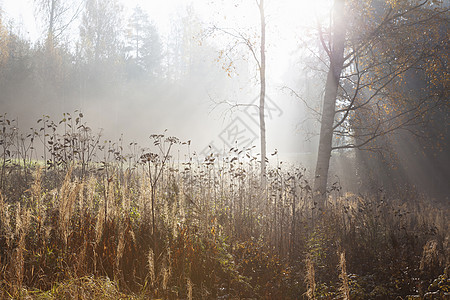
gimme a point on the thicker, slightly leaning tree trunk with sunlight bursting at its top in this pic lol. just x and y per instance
(329, 102)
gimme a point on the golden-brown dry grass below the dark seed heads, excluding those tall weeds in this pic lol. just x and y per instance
(69, 240)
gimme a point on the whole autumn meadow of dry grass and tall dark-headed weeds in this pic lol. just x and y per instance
(81, 218)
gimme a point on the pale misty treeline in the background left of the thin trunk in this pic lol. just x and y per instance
(119, 67)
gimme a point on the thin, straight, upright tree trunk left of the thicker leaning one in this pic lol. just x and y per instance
(262, 95)
